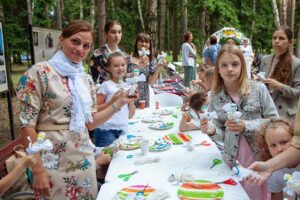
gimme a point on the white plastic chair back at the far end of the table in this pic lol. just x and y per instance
(168, 99)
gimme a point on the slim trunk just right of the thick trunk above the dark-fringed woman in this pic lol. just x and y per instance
(162, 25)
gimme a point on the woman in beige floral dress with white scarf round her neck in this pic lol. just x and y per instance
(58, 98)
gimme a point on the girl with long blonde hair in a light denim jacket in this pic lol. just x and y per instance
(253, 100)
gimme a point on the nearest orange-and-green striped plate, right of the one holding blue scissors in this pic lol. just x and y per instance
(200, 189)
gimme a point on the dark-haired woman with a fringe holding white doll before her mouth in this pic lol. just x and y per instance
(143, 59)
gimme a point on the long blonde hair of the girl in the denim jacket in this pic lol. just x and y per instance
(218, 82)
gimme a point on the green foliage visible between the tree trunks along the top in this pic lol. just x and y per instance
(231, 13)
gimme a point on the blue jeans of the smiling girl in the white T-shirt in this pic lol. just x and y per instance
(104, 138)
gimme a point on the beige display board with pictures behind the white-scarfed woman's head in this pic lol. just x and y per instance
(45, 43)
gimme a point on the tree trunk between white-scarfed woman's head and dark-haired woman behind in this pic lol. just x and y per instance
(102, 21)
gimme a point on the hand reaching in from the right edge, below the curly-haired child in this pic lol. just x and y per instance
(263, 169)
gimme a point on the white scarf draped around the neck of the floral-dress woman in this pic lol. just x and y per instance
(82, 101)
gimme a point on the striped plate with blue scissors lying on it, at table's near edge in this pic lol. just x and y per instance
(134, 191)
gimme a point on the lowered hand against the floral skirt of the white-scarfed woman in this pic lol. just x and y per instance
(41, 183)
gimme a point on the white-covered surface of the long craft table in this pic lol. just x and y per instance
(177, 160)
